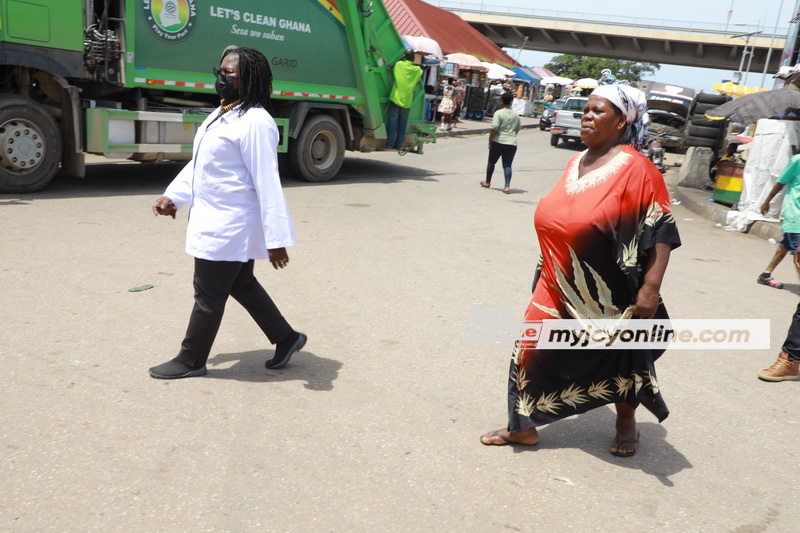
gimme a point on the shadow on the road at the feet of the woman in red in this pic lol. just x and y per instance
(593, 433)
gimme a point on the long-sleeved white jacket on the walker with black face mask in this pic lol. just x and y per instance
(237, 210)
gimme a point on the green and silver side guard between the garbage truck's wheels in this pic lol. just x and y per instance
(149, 135)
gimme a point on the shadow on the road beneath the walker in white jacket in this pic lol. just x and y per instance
(319, 373)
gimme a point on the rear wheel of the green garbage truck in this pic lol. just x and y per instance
(317, 153)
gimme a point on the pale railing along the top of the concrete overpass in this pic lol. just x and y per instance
(594, 18)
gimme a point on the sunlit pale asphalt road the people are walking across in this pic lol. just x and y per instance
(374, 426)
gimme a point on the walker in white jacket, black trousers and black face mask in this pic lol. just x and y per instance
(237, 213)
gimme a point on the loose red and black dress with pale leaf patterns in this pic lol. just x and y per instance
(594, 232)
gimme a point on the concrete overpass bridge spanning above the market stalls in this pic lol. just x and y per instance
(695, 44)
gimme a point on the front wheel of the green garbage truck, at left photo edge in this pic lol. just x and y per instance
(30, 145)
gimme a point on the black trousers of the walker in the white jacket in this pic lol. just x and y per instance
(214, 281)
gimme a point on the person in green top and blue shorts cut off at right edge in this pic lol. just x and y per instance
(789, 178)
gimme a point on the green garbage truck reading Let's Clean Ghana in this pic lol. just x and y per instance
(132, 79)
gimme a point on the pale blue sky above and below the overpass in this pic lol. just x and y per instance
(762, 13)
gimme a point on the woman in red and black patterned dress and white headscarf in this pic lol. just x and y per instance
(606, 233)
